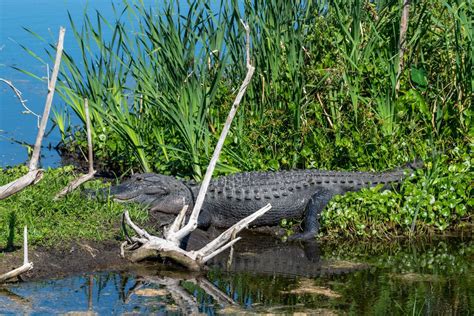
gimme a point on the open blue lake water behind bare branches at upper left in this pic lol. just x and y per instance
(43, 17)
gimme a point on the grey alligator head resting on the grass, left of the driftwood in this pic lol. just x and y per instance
(161, 193)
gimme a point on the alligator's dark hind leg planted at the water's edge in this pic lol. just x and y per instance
(313, 210)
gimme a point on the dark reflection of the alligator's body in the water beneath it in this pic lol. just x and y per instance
(263, 254)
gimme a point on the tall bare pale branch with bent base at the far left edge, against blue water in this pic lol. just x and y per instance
(34, 175)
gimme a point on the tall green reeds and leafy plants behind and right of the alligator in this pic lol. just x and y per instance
(324, 95)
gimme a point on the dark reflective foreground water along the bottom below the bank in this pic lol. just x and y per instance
(417, 279)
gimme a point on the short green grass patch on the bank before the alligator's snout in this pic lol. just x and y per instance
(57, 222)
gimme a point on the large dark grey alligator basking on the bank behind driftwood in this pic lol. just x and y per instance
(294, 194)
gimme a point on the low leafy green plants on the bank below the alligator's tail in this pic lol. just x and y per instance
(436, 198)
